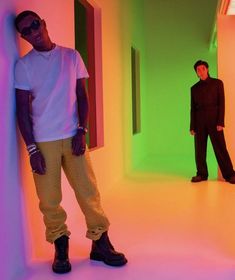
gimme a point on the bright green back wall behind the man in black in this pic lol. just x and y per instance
(174, 36)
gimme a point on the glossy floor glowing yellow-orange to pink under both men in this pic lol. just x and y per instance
(169, 229)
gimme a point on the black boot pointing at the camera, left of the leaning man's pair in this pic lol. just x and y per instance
(61, 262)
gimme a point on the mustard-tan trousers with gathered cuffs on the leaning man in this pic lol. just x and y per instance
(80, 175)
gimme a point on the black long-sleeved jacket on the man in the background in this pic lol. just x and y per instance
(207, 103)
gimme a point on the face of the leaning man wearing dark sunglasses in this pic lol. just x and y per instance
(33, 30)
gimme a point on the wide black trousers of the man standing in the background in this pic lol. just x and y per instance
(219, 146)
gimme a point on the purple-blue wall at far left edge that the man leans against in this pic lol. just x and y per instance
(12, 253)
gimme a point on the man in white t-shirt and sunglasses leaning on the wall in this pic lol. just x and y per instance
(52, 113)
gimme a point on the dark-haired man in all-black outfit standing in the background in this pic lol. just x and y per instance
(207, 119)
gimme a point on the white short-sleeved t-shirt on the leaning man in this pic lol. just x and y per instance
(51, 79)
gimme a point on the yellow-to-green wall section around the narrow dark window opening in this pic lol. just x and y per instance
(133, 35)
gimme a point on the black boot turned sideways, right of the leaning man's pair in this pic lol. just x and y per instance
(103, 250)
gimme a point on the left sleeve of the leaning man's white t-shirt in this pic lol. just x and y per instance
(21, 76)
